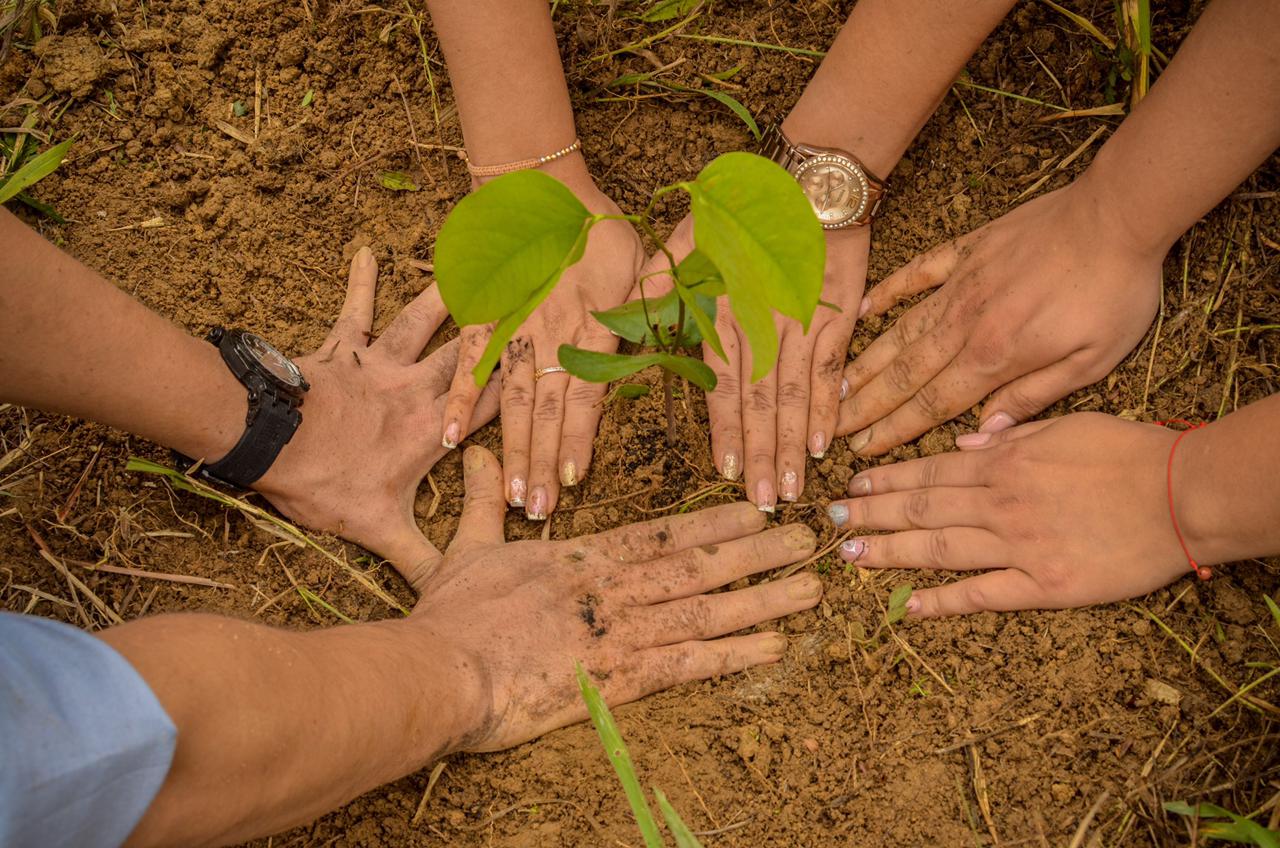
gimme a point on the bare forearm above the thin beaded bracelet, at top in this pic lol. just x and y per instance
(505, 69)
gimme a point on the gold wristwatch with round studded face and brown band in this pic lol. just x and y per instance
(843, 193)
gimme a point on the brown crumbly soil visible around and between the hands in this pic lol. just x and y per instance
(847, 742)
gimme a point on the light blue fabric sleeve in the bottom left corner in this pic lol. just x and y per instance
(85, 745)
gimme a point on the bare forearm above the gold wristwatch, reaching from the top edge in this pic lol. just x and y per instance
(886, 74)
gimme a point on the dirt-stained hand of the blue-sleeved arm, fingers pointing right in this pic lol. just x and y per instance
(632, 605)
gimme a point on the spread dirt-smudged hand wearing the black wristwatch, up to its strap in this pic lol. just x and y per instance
(371, 425)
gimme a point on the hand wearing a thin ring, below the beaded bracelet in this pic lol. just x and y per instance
(548, 423)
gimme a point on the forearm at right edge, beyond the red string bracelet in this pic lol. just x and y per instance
(1227, 486)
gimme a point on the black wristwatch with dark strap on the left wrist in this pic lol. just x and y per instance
(276, 391)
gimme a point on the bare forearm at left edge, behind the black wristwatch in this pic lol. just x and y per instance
(75, 344)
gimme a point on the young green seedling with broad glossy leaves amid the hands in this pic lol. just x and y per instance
(504, 249)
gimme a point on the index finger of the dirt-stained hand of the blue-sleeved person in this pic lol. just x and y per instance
(665, 536)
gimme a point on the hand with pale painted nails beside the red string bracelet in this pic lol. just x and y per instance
(1064, 513)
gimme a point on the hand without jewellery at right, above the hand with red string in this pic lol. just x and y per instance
(1032, 307)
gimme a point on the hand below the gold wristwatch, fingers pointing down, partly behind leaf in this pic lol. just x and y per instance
(762, 430)
